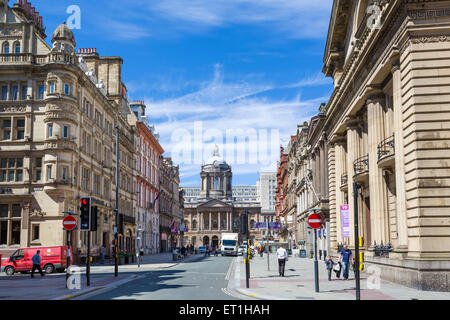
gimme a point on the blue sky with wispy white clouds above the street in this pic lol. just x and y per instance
(241, 74)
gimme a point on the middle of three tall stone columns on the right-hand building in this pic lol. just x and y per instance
(377, 188)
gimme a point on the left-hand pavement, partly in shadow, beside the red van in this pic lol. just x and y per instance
(52, 286)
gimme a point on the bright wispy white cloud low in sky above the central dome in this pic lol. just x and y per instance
(221, 106)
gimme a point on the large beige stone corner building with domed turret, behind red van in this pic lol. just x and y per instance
(57, 140)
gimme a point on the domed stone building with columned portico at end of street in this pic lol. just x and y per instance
(215, 211)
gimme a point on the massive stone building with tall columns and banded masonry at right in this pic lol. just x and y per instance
(387, 122)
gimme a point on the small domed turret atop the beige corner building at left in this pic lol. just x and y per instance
(63, 42)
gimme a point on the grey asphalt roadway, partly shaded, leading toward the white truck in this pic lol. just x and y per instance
(202, 279)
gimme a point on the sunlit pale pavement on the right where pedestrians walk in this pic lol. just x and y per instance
(299, 283)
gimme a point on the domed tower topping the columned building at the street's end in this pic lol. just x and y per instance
(216, 178)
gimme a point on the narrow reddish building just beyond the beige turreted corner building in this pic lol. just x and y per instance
(148, 154)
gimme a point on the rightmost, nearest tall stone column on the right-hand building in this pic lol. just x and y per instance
(402, 224)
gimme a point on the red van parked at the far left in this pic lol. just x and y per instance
(52, 259)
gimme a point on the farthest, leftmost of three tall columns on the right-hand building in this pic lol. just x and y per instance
(353, 153)
